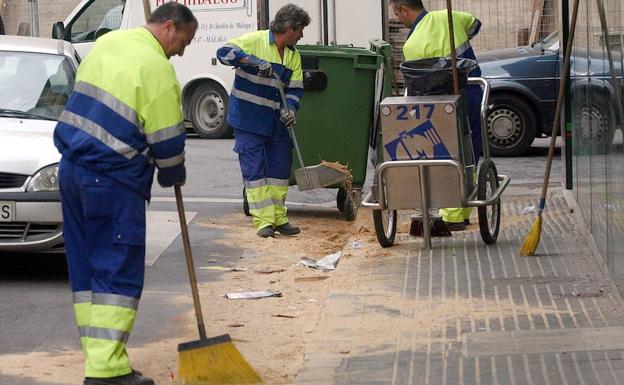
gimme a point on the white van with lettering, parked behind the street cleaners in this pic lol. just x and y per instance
(205, 82)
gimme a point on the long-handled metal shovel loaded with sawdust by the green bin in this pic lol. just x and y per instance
(317, 176)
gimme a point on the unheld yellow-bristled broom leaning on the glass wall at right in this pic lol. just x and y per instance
(533, 237)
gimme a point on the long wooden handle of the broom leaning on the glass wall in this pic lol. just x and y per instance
(560, 99)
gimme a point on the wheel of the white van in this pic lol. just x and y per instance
(209, 105)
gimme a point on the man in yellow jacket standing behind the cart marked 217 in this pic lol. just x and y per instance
(429, 38)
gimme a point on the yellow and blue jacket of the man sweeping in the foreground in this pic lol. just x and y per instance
(123, 117)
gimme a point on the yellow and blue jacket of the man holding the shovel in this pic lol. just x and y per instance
(254, 100)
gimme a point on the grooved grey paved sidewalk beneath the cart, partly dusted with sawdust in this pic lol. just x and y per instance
(466, 313)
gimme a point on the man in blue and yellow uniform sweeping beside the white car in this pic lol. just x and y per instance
(122, 121)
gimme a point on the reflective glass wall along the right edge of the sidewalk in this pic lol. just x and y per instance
(597, 140)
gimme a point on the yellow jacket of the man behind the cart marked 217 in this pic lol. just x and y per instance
(430, 37)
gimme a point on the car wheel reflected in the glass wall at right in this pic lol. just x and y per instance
(594, 123)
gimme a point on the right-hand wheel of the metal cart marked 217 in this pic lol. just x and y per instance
(489, 216)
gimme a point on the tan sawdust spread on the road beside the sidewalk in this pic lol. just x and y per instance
(272, 332)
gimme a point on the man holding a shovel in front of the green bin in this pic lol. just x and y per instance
(259, 120)
